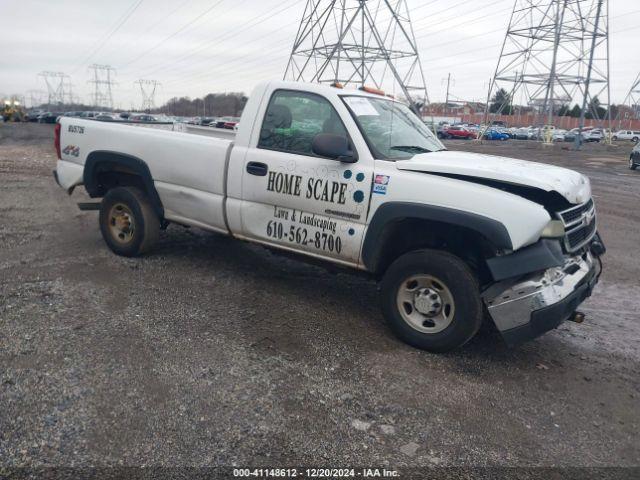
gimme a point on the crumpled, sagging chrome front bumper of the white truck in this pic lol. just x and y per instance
(536, 303)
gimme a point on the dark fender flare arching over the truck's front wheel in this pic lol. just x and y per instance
(495, 232)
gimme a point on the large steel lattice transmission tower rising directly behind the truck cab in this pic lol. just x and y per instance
(359, 42)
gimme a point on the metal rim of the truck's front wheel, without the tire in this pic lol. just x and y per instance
(425, 303)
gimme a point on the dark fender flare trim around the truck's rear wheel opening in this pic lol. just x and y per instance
(104, 161)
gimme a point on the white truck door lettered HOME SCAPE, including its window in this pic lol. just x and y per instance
(296, 199)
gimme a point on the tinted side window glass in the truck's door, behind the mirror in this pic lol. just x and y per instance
(294, 118)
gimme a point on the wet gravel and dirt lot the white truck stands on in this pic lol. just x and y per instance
(215, 352)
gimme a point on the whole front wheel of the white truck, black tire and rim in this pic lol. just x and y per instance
(439, 327)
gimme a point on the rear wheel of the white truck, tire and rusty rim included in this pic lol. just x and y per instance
(129, 225)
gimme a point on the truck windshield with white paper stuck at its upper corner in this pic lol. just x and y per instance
(391, 129)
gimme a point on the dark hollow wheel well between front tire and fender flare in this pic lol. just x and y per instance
(403, 236)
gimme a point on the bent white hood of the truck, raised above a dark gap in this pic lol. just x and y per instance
(573, 186)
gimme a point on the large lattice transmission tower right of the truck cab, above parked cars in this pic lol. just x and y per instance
(555, 52)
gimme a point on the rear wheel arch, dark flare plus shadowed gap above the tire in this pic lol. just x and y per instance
(104, 171)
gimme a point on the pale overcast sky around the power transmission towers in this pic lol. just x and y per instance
(194, 47)
